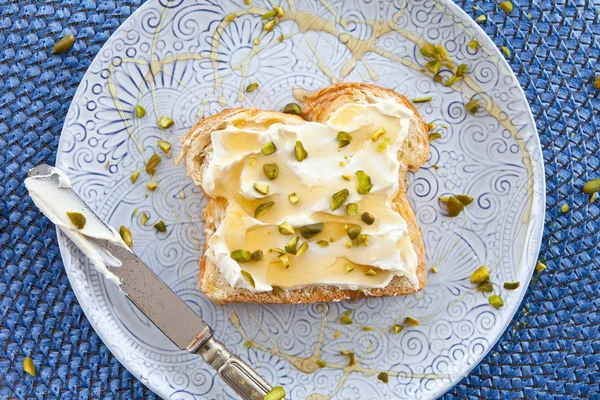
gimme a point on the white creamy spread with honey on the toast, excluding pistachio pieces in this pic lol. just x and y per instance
(236, 164)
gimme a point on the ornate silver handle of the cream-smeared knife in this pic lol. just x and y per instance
(246, 382)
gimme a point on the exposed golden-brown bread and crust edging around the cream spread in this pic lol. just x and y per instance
(317, 107)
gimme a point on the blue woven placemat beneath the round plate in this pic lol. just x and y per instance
(553, 346)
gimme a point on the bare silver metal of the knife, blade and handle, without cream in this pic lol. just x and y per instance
(176, 319)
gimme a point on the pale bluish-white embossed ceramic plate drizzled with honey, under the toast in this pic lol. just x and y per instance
(182, 60)
